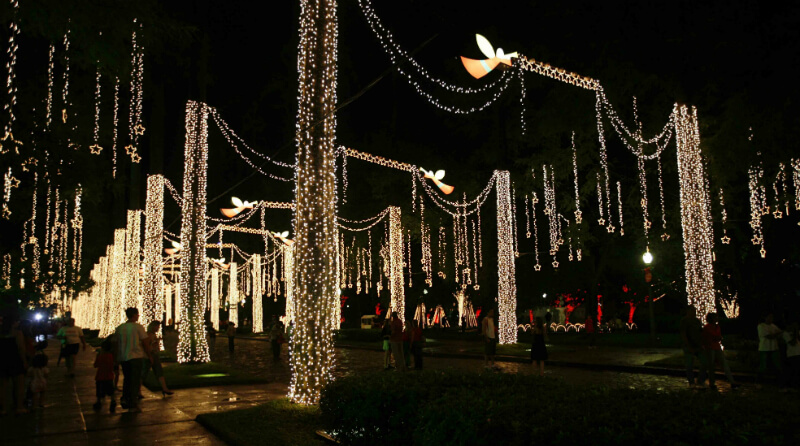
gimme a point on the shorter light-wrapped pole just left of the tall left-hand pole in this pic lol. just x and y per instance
(153, 280)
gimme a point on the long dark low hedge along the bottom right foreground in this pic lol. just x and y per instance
(434, 408)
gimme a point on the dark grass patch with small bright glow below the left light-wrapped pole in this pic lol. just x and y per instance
(182, 376)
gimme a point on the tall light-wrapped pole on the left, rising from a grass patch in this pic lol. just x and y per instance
(192, 346)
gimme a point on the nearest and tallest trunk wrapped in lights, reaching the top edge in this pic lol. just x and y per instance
(316, 294)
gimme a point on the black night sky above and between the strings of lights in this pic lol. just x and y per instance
(736, 62)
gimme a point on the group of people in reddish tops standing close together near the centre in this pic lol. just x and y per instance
(401, 343)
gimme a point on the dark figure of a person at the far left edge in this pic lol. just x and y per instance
(12, 361)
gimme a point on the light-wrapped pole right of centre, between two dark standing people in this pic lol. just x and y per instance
(506, 282)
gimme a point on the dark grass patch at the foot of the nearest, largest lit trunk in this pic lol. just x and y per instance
(275, 423)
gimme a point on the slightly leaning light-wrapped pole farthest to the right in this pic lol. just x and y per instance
(698, 238)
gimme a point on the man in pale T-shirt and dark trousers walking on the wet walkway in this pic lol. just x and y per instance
(132, 351)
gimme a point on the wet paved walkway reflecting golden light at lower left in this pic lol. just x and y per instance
(68, 418)
